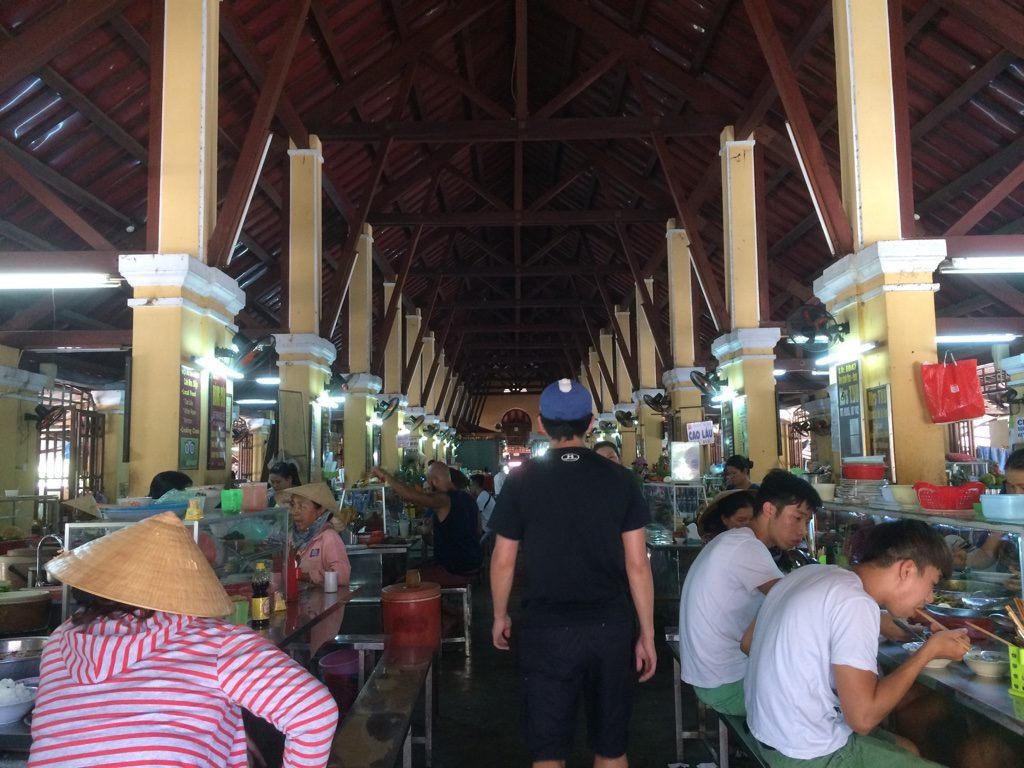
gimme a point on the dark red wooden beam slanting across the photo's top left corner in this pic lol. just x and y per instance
(52, 35)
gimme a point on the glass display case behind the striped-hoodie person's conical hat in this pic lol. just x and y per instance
(233, 544)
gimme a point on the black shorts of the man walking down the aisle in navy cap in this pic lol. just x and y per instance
(559, 664)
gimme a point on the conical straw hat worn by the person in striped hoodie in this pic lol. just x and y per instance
(153, 565)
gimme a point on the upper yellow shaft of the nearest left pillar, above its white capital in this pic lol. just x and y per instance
(189, 133)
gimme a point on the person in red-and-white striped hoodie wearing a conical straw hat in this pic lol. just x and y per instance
(149, 674)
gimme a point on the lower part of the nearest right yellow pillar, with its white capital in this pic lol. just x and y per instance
(887, 294)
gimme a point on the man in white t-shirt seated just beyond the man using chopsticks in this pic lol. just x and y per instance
(727, 585)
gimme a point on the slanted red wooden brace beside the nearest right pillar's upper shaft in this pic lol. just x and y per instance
(823, 185)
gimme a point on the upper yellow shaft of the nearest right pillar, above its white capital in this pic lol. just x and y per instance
(867, 120)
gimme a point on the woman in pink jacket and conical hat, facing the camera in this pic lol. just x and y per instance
(315, 542)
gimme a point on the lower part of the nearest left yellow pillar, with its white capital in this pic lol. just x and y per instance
(183, 310)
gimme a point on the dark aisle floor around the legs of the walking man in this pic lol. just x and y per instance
(480, 719)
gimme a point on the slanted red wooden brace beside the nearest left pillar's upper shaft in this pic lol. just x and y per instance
(253, 149)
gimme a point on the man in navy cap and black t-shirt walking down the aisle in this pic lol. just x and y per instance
(588, 584)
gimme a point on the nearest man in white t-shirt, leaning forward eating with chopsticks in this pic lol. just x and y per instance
(814, 693)
